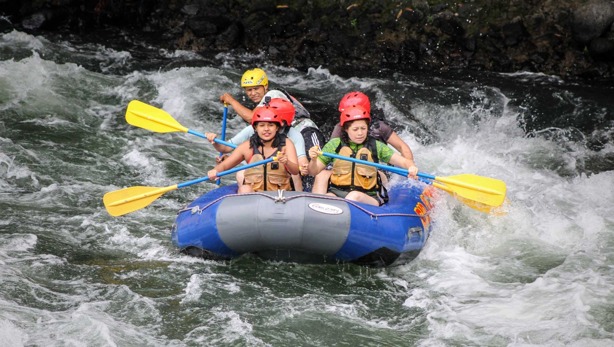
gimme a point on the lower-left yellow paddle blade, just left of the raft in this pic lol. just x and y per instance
(130, 199)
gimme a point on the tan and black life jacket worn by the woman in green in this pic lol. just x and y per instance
(348, 175)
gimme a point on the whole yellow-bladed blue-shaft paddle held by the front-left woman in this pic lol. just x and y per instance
(123, 201)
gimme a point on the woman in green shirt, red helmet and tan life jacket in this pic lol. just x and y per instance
(351, 180)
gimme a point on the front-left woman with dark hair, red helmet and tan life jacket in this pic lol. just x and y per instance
(266, 142)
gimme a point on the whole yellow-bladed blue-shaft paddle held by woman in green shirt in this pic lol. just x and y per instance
(483, 191)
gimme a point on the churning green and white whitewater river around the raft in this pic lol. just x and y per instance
(542, 274)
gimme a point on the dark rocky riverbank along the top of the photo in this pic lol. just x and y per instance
(568, 38)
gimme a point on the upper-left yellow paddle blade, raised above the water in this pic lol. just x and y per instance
(151, 118)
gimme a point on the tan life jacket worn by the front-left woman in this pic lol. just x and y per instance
(272, 176)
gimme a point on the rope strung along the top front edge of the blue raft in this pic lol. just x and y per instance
(280, 198)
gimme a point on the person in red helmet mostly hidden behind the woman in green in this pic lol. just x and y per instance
(378, 129)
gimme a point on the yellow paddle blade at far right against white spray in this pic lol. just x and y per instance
(484, 190)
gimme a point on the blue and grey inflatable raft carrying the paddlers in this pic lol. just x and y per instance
(306, 228)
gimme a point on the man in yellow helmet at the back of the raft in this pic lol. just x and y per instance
(256, 85)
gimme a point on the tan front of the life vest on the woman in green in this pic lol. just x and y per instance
(349, 175)
